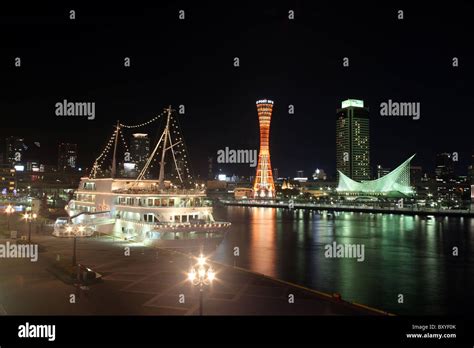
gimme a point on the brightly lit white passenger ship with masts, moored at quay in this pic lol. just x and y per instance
(150, 211)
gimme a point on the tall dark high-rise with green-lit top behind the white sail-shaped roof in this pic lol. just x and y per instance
(353, 140)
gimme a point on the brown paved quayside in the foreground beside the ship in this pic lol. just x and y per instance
(148, 282)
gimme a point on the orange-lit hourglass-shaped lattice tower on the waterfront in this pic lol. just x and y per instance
(264, 187)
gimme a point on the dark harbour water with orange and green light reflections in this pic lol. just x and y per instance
(406, 255)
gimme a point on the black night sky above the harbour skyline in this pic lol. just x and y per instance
(190, 62)
